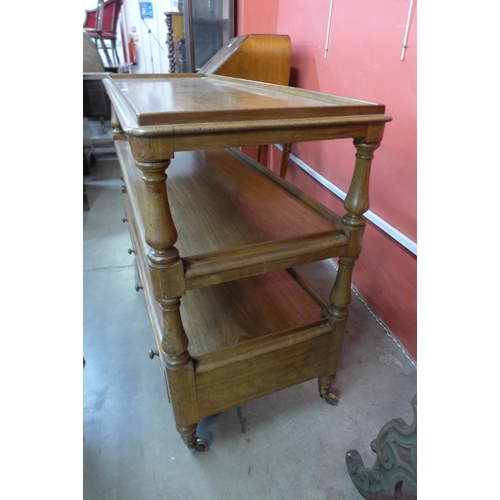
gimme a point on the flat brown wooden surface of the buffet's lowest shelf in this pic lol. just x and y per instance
(241, 311)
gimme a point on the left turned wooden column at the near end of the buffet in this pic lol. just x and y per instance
(167, 277)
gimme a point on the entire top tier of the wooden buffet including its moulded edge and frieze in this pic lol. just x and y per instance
(198, 111)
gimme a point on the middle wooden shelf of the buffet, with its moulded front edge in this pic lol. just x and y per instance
(235, 218)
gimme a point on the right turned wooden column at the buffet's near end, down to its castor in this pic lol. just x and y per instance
(356, 204)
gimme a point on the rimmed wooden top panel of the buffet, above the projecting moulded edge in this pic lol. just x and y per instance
(192, 98)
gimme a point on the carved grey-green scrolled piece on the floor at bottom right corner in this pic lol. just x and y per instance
(396, 463)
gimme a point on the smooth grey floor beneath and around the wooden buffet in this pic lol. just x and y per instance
(289, 445)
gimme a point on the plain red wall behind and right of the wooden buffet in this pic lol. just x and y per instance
(364, 62)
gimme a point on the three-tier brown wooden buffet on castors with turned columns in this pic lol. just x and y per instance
(217, 241)
